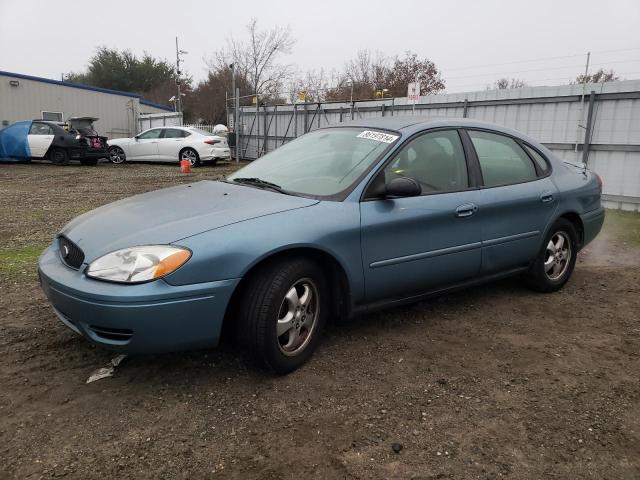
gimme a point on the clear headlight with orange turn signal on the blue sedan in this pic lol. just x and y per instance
(138, 264)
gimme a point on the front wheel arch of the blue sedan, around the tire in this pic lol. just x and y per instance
(340, 288)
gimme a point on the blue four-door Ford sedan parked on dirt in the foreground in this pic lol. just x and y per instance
(336, 223)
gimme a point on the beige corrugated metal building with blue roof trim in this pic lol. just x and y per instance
(24, 97)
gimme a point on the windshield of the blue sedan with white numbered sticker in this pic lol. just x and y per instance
(319, 164)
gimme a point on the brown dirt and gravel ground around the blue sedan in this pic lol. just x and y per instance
(494, 382)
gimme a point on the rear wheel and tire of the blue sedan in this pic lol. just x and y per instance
(556, 260)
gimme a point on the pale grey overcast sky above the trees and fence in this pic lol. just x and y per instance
(472, 42)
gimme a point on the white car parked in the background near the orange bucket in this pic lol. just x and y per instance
(172, 144)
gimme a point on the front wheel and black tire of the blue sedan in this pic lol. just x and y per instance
(283, 313)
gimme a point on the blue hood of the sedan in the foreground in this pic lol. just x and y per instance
(169, 215)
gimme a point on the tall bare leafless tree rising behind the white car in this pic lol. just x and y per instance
(257, 58)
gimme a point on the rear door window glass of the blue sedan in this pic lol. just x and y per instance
(502, 160)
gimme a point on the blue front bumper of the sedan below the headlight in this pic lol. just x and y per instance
(152, 317)
